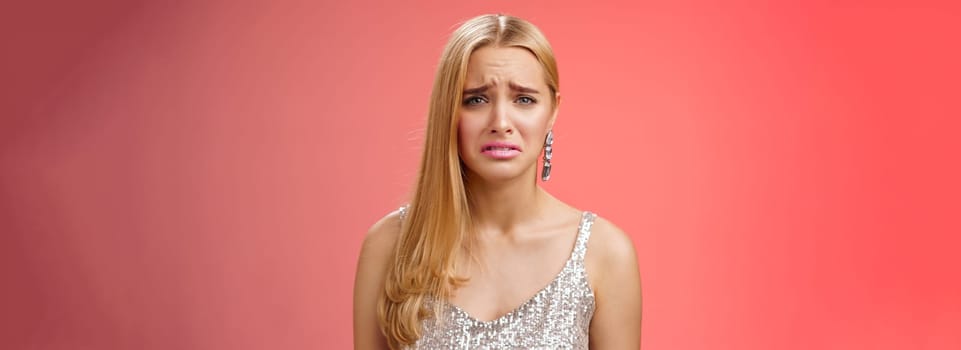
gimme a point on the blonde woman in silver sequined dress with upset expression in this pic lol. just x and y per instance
(483, 257)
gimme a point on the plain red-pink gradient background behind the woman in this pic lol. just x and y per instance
(200, 175)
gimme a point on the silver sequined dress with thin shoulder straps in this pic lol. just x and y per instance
(557, 317)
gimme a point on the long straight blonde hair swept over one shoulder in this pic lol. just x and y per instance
(438, 220)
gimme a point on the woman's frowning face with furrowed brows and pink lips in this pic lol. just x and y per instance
(505, 114)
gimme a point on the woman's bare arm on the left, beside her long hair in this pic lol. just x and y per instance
(369, 282)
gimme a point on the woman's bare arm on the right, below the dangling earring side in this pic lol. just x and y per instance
(617, 289)
